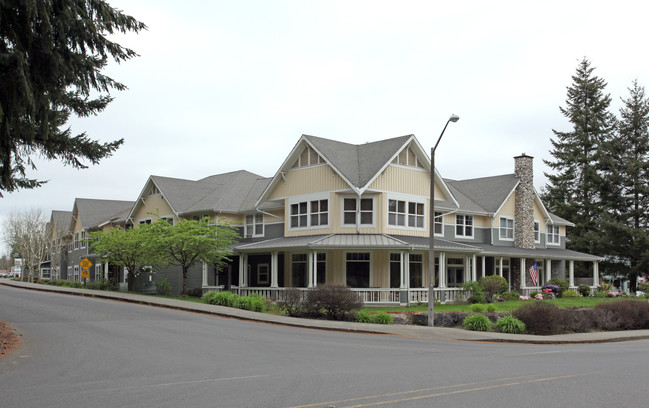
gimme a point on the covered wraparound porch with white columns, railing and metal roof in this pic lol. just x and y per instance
(388, 269)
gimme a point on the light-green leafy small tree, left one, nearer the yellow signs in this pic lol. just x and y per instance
(128, 248)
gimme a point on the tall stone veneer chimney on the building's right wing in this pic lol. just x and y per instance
(524, 202)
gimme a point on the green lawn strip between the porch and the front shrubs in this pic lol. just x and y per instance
(501, 307)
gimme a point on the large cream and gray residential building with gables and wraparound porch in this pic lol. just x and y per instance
(359, 215)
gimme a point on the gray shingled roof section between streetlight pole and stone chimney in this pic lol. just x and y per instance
(484, 194)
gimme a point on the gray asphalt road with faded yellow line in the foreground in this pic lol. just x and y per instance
(85, 352)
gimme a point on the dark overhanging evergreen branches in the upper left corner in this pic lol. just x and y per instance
(52, 53)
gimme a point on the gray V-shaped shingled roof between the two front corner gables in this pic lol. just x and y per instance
(358, 163)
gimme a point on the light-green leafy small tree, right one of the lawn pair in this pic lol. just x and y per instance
(187, 242)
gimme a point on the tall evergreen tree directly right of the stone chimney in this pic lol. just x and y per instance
(573, 190)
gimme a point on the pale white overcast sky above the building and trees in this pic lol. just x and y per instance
(227, 85)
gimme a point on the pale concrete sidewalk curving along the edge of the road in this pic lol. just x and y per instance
(421, 332)
